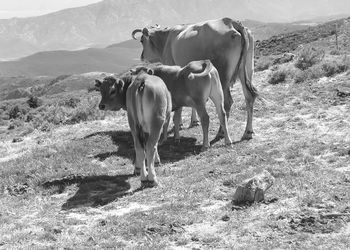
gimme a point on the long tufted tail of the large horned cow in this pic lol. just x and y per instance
(247, 41)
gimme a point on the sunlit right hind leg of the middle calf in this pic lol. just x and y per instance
(217, 97)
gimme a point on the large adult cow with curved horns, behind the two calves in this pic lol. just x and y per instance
(227, 43)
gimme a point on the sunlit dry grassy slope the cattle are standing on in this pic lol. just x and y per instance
(70, 185)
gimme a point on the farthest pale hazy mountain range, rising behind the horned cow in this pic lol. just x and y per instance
(111, 21)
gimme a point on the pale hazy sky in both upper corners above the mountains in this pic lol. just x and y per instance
(284, 10)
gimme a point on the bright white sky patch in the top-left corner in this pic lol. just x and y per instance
(25, 8)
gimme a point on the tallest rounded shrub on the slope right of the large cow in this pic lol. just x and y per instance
(308, 57)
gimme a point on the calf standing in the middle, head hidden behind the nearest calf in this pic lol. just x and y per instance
(191, 86)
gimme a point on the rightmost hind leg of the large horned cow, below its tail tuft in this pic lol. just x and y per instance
(249, 99)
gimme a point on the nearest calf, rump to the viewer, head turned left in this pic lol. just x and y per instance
(148, 104)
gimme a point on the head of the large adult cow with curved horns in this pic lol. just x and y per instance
(153, 42)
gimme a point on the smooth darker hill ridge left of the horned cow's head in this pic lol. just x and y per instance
(114, 58)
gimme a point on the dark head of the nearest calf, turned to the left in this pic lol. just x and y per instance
(112, 92)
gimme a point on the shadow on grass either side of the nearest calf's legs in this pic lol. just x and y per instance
(168, 152)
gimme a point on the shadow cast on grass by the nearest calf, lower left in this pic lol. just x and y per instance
(94, 191)
